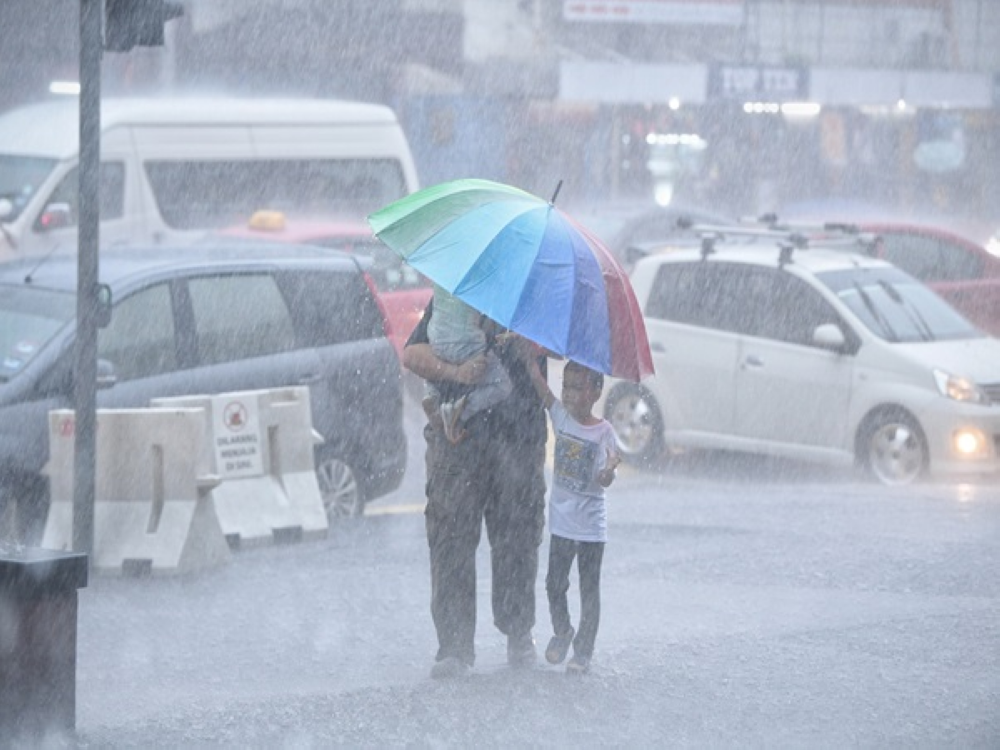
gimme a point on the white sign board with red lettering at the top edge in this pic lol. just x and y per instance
(716, 12)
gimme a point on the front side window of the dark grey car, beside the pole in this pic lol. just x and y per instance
(139, 341)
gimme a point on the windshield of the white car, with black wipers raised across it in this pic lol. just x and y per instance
(896, 307)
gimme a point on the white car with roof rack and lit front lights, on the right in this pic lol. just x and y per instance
(809, 354)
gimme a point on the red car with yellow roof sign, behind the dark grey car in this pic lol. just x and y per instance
(400, 290)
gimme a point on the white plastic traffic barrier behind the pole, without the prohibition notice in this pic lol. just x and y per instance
(153, 507)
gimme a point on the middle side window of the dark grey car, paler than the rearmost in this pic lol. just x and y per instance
(240, 316)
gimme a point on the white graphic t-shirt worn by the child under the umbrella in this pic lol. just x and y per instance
(576, 504)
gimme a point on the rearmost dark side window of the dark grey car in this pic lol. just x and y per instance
(331, 308)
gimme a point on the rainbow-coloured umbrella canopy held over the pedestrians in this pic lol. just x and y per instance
(525, 264)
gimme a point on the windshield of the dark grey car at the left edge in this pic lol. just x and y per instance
(29, 318)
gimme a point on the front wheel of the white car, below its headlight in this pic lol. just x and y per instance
(893, 448)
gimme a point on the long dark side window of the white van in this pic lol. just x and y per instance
(219, 193)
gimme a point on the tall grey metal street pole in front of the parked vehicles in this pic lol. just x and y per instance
(88, 238)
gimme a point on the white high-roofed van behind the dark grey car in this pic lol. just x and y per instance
(173, 168)
